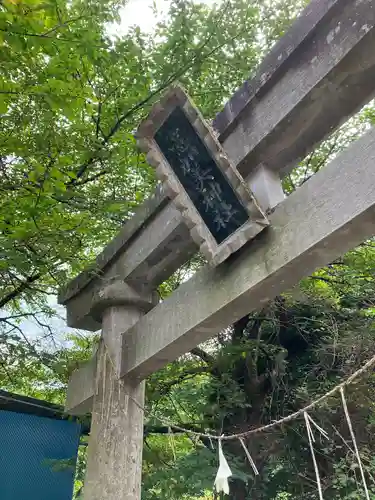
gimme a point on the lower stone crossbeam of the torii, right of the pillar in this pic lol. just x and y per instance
(330, 214)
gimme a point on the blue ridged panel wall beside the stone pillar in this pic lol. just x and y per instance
(34, 457)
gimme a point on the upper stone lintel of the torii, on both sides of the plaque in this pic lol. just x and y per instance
(321, 72)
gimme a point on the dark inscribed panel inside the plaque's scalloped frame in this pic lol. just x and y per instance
(209, 190)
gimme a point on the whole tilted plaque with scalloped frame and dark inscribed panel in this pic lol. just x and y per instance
(216, 204)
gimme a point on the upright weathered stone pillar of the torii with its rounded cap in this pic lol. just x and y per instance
(114, 463)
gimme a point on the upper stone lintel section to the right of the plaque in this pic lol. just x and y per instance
(316, 76)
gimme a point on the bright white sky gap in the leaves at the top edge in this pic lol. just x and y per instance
(141, 13)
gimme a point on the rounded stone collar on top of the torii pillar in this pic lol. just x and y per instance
(118, 293)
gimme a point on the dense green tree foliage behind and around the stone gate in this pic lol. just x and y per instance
(70, 99)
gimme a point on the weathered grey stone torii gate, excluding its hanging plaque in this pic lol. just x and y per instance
(320, 73)
